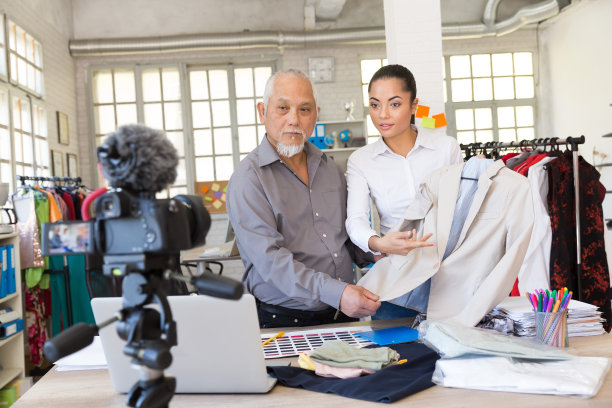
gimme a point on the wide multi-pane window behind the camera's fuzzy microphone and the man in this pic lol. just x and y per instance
(220, 106)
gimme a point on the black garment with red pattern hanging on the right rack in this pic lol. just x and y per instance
(595, 275)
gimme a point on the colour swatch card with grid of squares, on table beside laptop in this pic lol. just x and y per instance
(293, 343)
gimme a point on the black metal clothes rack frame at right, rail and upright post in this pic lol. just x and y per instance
(571, 144)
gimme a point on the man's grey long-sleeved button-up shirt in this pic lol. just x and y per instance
(291, 236)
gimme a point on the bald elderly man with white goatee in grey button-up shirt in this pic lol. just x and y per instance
(287, 204)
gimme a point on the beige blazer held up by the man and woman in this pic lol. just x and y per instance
(481, 270)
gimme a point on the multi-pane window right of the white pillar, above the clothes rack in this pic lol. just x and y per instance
(490, 97)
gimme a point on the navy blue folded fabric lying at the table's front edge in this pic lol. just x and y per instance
(387, 385)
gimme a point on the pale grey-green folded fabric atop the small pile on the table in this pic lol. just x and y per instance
(339, 353)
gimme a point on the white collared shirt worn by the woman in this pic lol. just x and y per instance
(391, 181)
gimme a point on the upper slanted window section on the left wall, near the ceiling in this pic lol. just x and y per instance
(26, 62)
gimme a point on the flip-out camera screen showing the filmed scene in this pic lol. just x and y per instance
(63, 238)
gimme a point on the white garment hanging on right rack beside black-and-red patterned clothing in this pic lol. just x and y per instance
(535, 271)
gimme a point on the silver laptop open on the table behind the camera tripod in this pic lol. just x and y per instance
(219, 346)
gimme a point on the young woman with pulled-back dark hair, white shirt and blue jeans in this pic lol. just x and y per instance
(389, 172)
